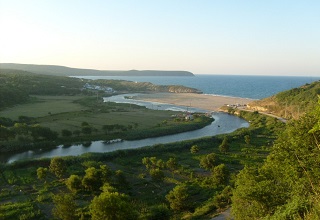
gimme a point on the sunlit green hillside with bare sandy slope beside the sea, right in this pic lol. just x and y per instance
(291, 103)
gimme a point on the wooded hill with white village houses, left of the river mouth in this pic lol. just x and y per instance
(17, 85)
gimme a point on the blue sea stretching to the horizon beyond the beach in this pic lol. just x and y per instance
(253, 87)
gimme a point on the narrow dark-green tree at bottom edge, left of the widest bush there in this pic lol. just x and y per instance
(64, 207)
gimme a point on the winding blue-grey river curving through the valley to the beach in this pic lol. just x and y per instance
(223, 123)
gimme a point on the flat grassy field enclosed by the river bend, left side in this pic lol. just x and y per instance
(63, 112)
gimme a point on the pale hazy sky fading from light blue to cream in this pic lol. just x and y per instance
(261, 37)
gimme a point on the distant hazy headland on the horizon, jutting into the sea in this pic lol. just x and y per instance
(67, 71)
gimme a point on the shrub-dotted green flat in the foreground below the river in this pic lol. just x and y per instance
(190, 179)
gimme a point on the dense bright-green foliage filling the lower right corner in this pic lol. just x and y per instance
(286, 186)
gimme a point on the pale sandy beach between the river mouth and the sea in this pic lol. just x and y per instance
(207, 102)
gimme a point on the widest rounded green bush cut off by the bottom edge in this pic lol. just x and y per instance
(112, 206)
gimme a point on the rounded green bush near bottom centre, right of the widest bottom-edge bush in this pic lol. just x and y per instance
(178, 198)
